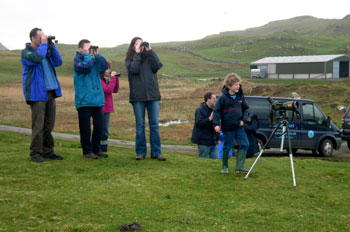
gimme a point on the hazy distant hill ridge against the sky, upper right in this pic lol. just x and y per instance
(302, 25)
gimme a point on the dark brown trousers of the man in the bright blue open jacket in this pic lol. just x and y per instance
(43, 122)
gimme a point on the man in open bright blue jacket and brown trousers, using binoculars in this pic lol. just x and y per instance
(40, 88)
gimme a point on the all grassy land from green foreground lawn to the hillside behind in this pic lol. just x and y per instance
(185, 193)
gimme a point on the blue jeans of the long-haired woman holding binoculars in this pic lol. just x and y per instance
(153, 114)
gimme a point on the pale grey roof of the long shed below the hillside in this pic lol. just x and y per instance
(297, 59)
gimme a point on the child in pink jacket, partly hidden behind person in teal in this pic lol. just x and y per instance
(110, 85)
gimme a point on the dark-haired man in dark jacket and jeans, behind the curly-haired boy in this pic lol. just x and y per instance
(203, 132)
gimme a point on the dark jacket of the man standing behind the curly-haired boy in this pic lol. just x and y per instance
(203, 132)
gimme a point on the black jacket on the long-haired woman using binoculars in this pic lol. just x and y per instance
(143, 82)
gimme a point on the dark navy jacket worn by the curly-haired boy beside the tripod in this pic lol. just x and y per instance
(230, 111)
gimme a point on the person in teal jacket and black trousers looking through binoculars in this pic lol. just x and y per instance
(89, 97)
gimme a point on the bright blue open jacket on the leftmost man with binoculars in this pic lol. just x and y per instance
(33, 74)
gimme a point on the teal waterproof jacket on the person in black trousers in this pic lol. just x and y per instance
(87, 83)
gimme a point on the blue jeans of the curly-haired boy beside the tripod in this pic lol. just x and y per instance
(239, 135)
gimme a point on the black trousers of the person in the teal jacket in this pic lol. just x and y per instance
(90, 144)
